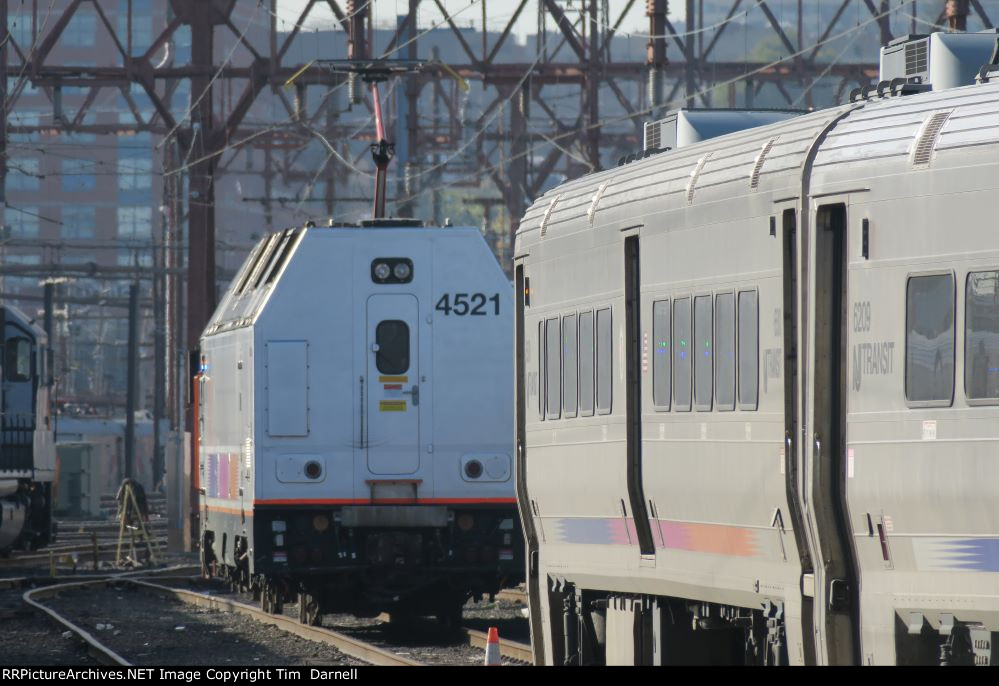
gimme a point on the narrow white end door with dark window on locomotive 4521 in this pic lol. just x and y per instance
(392, 403)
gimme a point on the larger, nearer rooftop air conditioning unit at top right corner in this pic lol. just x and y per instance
(939, 60)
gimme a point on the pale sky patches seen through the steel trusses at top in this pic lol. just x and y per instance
(498, 13)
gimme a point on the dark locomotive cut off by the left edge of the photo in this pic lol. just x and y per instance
(27, 446)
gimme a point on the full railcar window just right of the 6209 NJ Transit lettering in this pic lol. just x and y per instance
(929, 341)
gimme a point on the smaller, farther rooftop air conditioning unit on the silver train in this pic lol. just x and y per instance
(685, 127)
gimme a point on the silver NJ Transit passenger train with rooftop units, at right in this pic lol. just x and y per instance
(758, 383)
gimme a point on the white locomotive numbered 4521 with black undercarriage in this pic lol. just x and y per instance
(354, 408)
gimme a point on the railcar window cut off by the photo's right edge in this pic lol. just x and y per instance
(981, 335)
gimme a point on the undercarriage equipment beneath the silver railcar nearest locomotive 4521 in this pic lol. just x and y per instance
(600, 628)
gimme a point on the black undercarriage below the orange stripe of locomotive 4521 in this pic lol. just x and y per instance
(368, 571)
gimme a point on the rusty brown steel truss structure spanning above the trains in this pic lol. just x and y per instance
(517, 139)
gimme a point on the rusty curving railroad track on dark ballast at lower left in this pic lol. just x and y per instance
(345, 644)
